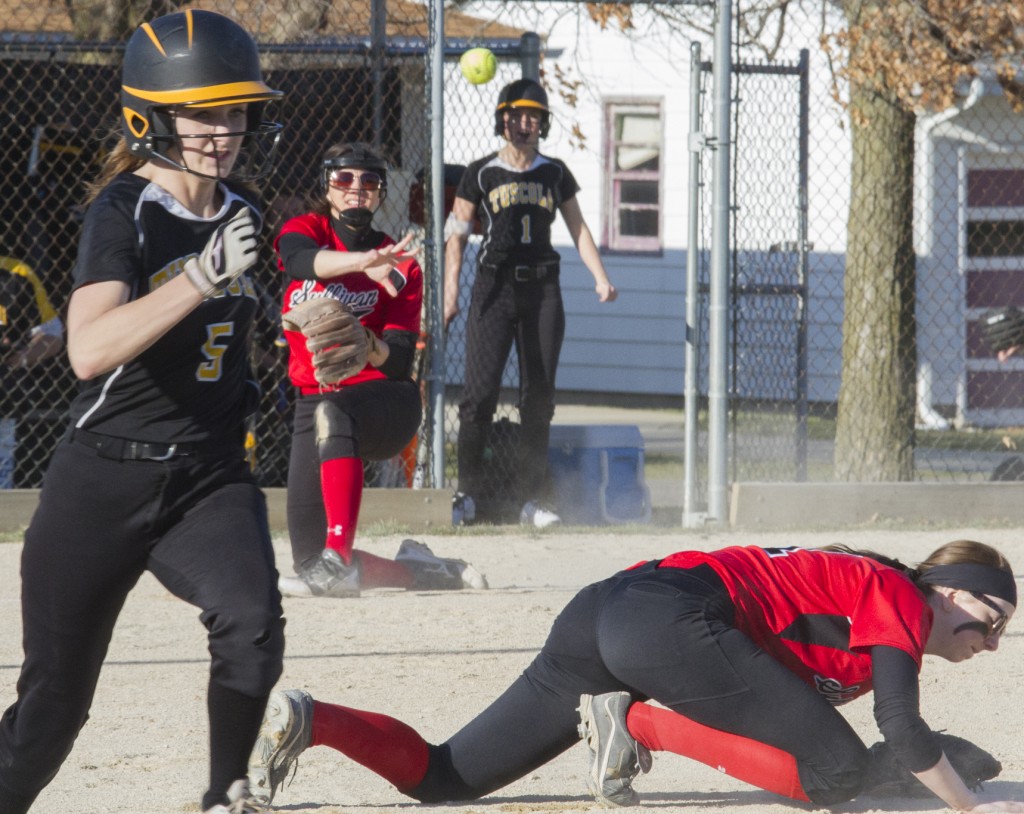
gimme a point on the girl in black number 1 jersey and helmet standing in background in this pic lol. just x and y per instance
(517, 298)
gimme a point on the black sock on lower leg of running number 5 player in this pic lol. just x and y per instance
(235, 721)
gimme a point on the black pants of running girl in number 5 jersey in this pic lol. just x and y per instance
(200, 528)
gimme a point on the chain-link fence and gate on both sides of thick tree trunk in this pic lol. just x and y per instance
(790, 192)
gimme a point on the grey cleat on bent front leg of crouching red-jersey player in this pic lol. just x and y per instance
(616, 757)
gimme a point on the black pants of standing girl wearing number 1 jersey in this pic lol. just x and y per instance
(530, 315)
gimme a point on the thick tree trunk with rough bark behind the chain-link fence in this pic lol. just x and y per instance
(875, 433)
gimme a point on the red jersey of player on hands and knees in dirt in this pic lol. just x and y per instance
(820, 613)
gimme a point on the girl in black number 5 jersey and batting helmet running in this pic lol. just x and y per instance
(152, 474)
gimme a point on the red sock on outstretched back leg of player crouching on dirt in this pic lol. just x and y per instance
(383, 745)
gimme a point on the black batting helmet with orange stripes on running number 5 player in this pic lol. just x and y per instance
(194, 59)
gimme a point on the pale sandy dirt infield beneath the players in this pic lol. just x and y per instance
(435, 660)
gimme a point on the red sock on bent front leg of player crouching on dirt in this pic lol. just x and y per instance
(747, 760)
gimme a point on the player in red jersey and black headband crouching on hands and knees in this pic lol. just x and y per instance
(748, 652)
